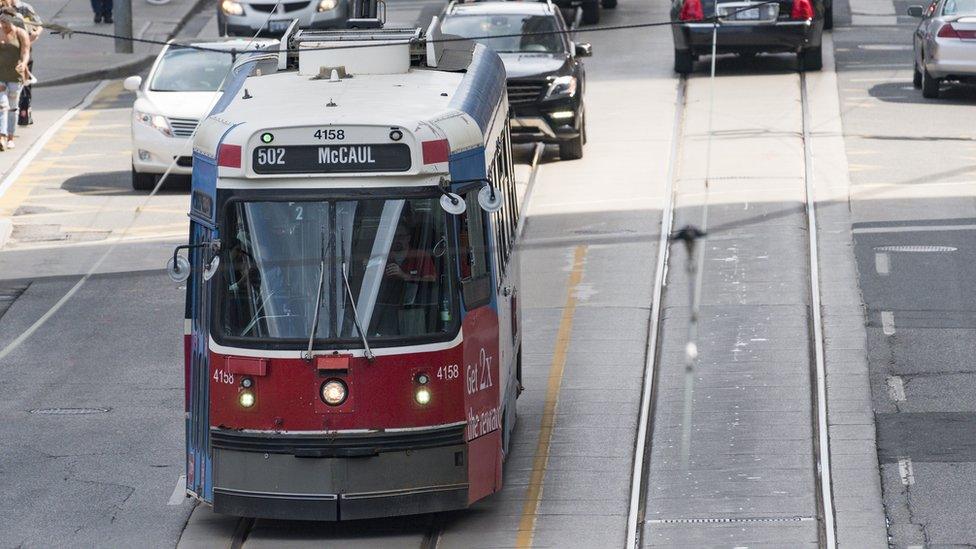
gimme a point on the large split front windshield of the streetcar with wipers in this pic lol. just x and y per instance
(395, 257)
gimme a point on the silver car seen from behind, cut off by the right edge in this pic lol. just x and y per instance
(945, 44)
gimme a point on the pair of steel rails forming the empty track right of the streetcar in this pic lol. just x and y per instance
(821, 444)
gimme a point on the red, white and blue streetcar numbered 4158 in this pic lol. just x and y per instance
(352, 331)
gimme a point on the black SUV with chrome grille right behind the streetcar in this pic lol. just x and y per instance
(546, 80)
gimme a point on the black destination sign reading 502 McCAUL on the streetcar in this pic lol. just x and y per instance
(386, 157)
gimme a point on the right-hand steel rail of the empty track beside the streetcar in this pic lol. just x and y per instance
(822, 440)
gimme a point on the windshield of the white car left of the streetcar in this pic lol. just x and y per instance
(183, 69)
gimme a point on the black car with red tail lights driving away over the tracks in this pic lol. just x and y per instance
(748, 28)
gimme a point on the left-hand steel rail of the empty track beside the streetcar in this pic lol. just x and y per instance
(642, 444)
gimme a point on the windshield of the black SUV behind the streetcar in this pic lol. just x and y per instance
(508, 29)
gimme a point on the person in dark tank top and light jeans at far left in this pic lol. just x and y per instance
(14, 52)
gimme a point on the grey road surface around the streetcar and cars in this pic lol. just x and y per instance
(91, 403)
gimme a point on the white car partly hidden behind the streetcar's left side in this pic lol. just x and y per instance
(181, 89)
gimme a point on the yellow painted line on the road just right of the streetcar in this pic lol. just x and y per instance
(533, 496)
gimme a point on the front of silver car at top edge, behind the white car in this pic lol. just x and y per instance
(247, 17)
